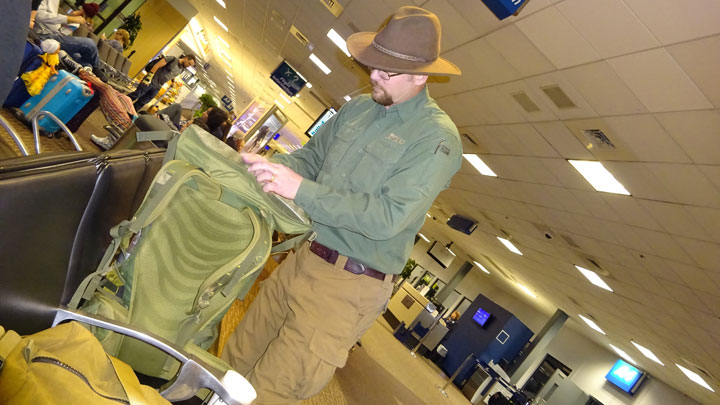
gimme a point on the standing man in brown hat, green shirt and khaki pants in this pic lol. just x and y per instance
(366, 179)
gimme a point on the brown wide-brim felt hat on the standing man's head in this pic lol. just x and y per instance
(408, 43)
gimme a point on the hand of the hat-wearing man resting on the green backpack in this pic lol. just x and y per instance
(274, 177)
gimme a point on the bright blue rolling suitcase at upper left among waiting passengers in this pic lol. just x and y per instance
(64, 95)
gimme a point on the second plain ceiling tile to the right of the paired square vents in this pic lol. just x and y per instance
(658, 81)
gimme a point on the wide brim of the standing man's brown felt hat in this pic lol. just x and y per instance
(361, 48)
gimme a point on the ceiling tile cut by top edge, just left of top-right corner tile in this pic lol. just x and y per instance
(593, 20)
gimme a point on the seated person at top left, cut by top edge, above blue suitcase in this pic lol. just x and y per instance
(48, 24)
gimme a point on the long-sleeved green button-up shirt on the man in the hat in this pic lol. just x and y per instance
(371, 173)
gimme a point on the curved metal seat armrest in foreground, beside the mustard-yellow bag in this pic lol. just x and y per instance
(194, 374)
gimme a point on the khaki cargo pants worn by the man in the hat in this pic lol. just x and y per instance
(299, 328)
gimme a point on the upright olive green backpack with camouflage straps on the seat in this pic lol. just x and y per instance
(197, 242)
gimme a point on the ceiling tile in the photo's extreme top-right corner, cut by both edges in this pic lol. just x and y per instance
(674, 21)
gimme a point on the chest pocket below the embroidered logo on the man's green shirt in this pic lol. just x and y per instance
(376, 165)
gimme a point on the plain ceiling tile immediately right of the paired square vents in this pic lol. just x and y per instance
(603, 89)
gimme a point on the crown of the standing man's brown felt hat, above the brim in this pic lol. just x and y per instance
(411, 33)
